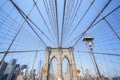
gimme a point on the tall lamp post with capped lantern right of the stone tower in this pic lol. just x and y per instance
(89, 43)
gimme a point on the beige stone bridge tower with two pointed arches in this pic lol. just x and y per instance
(59, 54)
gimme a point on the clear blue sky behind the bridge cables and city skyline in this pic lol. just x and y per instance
(55, 31)
